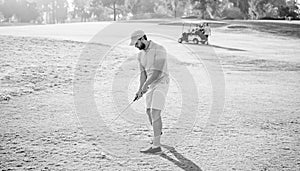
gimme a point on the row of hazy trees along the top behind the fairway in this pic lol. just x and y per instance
(58, 11)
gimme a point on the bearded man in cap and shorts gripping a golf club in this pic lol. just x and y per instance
(154, 82)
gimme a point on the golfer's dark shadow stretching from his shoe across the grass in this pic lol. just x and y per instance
(181, 161)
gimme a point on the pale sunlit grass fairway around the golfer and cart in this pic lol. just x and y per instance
(41, 128)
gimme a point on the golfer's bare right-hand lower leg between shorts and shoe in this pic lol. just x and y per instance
(157, 126)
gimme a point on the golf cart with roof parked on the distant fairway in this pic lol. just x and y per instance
(195, 34)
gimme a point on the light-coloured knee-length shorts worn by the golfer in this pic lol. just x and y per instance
(157, 95)
